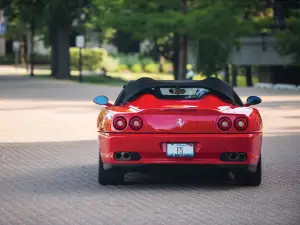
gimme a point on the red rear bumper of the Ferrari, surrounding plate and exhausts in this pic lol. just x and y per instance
(152, 149)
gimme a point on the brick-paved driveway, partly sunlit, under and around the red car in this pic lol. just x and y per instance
(48, 166)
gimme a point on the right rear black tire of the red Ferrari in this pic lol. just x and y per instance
(250, 178)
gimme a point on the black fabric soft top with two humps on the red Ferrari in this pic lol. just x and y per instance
(220, 88)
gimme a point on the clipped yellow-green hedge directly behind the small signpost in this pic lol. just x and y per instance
(92, 59)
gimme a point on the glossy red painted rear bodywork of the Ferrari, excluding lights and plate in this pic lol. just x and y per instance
(186, 121)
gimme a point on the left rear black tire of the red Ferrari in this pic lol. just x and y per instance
(109, 177)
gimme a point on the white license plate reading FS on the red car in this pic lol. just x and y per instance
(180, 149)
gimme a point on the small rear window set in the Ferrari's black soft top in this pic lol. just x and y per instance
(180, 93)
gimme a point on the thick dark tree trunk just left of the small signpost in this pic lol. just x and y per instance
(60, 52)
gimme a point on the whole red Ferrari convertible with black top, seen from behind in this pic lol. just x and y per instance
(162, 124)
